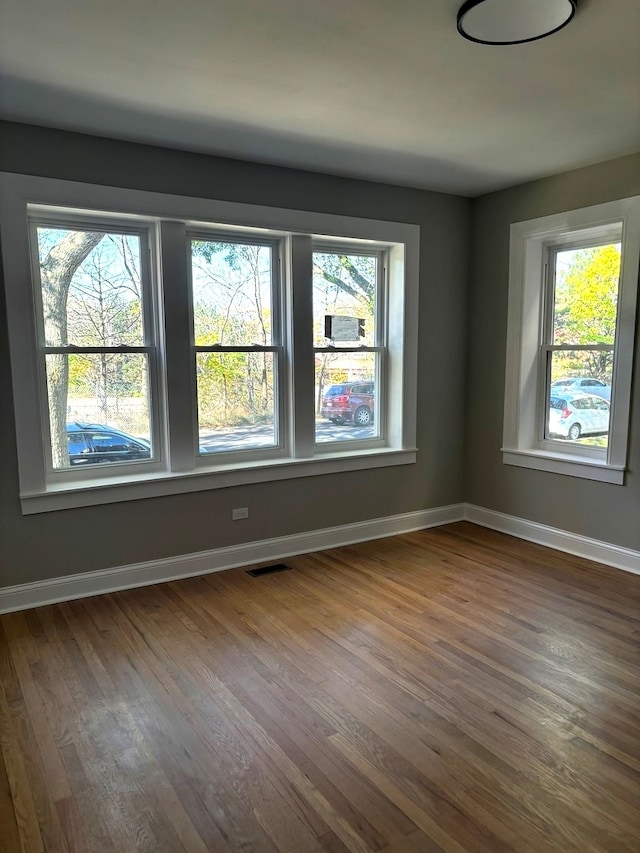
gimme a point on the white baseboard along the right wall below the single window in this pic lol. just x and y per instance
(582, 546)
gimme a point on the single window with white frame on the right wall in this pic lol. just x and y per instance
(572, 303)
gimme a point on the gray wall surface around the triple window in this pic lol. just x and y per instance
(65, 542)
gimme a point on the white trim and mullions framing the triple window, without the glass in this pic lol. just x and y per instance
(402, 240)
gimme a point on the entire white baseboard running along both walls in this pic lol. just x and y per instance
(25, 596)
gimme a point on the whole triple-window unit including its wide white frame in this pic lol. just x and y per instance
(163, 344)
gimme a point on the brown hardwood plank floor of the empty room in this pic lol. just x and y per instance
(453, 689)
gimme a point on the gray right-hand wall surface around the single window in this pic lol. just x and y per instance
(602, 511)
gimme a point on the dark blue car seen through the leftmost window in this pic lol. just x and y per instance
(90, 444)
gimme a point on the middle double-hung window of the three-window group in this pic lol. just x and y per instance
(236, 296)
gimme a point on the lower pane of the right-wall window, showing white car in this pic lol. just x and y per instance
(579, 396)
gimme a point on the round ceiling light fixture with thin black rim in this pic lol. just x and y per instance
(513, 21)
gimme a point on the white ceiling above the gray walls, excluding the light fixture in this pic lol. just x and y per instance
(380, 89)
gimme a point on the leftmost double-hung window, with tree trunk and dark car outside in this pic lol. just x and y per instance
(96, 350)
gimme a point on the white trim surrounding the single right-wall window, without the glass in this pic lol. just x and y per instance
(529, 242)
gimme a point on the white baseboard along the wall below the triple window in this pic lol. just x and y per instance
(25, 596)
